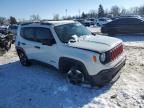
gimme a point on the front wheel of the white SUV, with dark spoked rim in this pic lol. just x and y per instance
(75, 76)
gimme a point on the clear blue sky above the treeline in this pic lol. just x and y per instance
(47, 8)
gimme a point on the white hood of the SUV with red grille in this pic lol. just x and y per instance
(96, 43)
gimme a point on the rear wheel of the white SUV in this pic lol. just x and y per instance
(23, 59)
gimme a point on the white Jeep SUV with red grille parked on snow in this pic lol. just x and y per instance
(71, 48)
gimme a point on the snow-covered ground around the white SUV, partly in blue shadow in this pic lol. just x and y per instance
(40, 86)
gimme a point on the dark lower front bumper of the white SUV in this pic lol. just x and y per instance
(108, 75)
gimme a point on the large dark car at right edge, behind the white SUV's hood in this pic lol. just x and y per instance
(129, 25)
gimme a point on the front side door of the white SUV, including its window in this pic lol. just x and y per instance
(47, 53)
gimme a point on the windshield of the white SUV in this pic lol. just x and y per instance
(67, 31)
